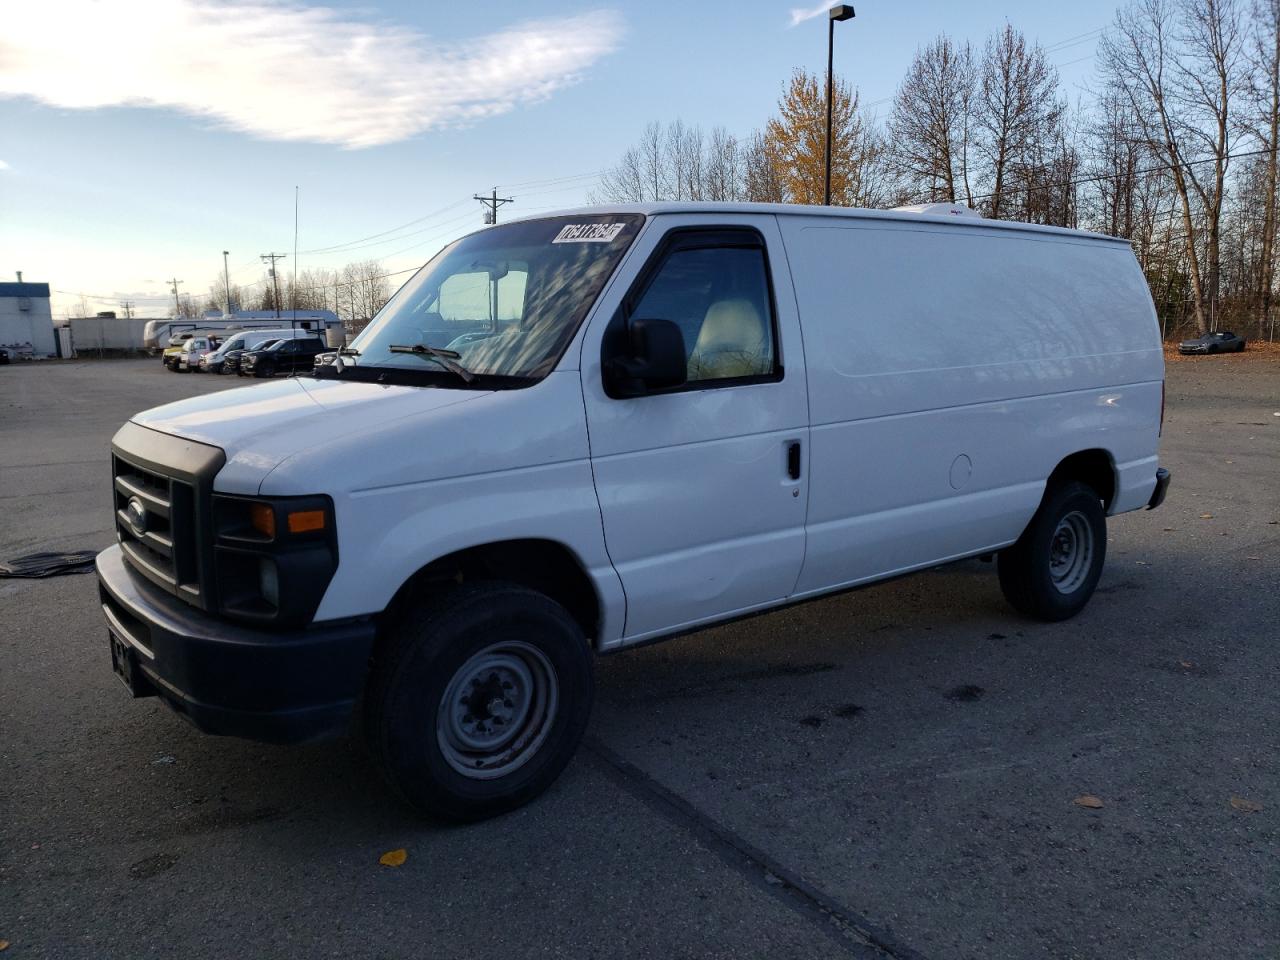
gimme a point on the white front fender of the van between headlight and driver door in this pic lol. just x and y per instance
(415, 488)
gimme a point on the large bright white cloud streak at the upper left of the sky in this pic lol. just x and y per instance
(282, 71)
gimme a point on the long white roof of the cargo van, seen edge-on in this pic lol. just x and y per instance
(925, 214)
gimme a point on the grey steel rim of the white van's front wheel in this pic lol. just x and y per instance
(497, 711)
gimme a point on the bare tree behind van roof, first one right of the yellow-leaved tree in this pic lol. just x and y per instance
(931, 121)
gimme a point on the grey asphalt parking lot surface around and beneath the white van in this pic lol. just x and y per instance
(890, 772)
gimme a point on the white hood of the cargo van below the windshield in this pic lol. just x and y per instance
(262, 427)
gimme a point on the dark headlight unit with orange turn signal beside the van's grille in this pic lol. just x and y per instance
(273, 557)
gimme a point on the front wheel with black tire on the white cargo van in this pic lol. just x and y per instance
(433, 650)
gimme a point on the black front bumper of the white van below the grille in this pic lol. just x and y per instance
(225, 679)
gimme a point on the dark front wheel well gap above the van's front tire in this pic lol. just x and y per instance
(546, 566)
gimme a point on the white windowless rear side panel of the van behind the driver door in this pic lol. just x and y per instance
(952, 369)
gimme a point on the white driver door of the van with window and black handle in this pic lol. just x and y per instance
(703, 490)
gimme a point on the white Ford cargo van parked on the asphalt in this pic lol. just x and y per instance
(577, 433)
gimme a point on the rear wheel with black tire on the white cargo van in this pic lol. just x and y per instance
(1053, 570)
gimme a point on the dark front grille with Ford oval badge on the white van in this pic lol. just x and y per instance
(166, 483)
